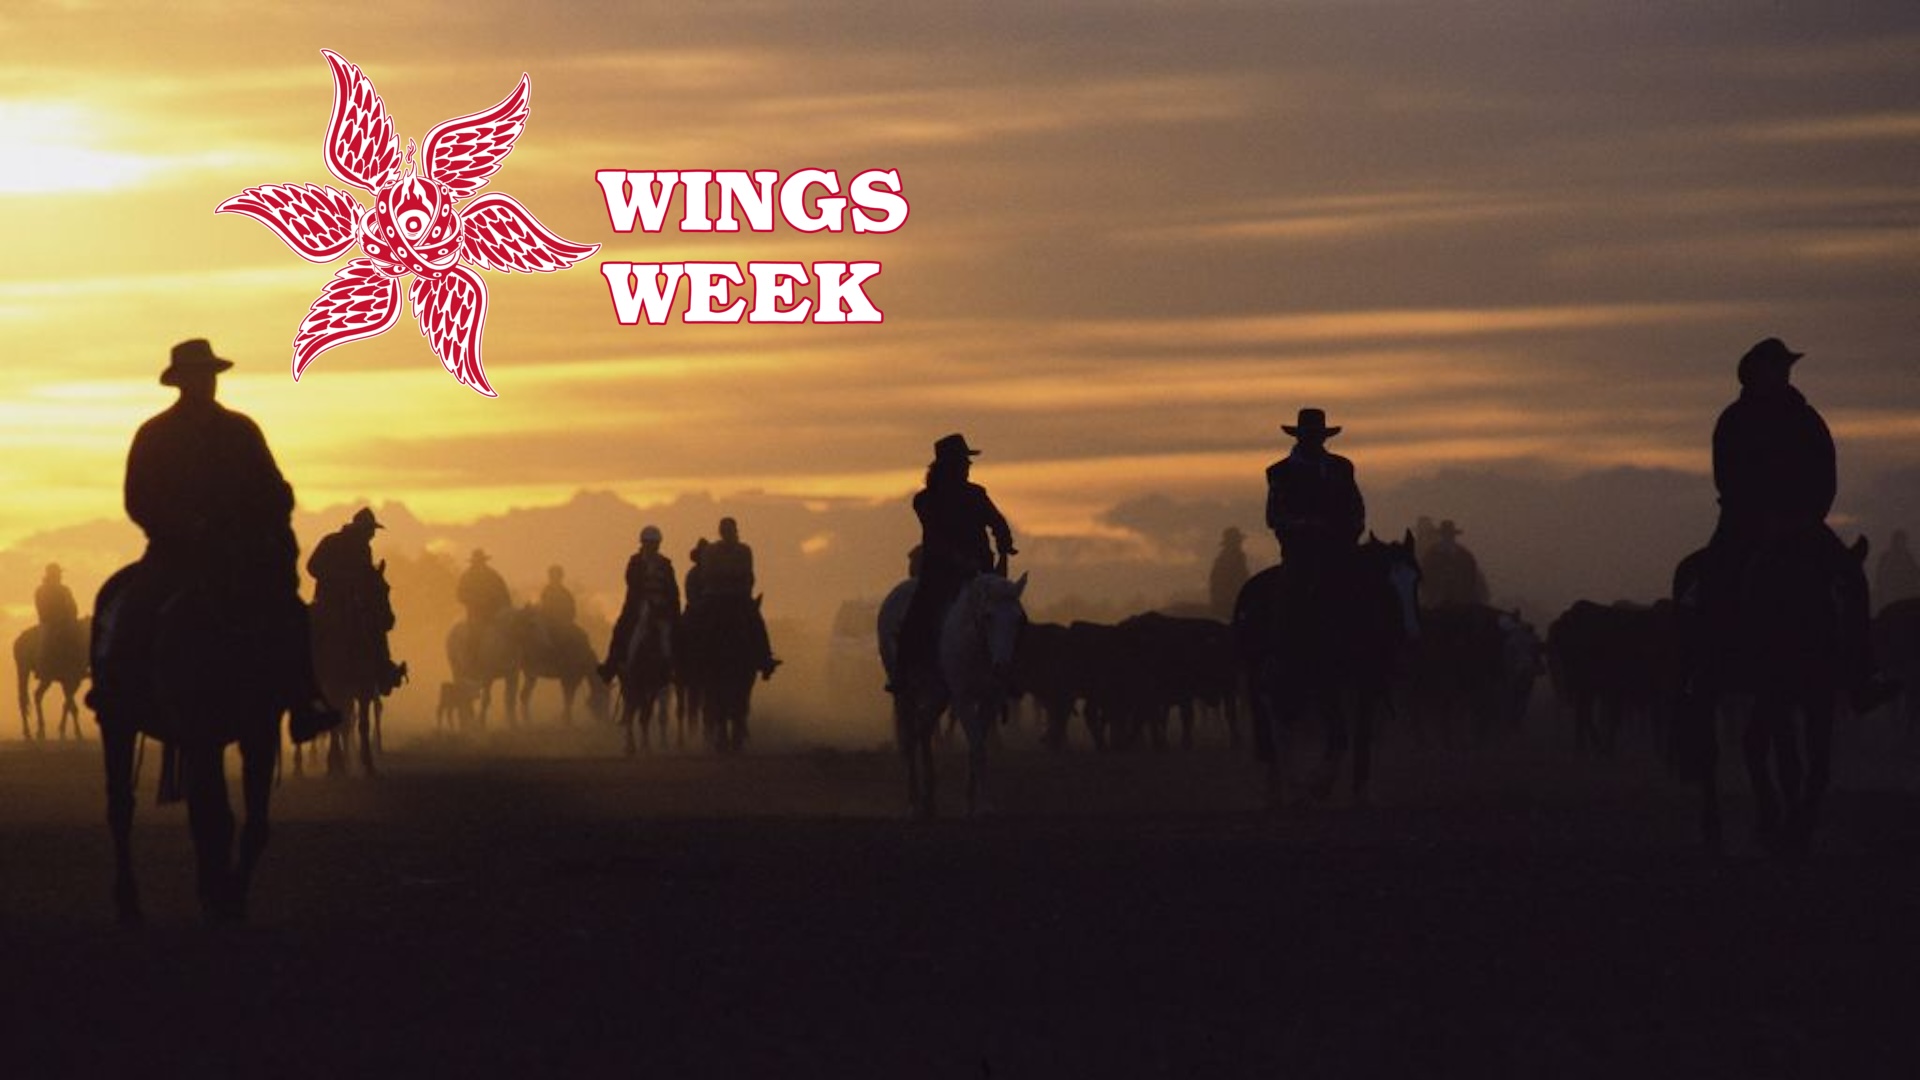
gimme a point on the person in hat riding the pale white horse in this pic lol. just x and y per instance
(957, 520)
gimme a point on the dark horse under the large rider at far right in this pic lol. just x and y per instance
(1771, 633)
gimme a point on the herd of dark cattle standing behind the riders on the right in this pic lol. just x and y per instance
(1470, 679)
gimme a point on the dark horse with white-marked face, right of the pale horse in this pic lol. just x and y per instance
(1333, 647)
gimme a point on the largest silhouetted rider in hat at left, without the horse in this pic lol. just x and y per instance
(218, 520)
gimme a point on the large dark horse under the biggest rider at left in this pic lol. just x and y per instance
(197, 679)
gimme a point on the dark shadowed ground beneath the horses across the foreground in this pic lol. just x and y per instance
(1506, 914)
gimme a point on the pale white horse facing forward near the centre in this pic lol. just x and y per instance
(980, 639)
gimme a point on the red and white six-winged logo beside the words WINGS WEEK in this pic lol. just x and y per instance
(414, 226)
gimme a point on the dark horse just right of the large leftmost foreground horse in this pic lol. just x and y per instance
(354, 670)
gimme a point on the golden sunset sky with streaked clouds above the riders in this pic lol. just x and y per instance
(1522, 237)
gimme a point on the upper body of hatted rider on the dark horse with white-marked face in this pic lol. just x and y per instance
(1314, 504)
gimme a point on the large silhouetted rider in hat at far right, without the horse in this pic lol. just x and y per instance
(1775, 470)
